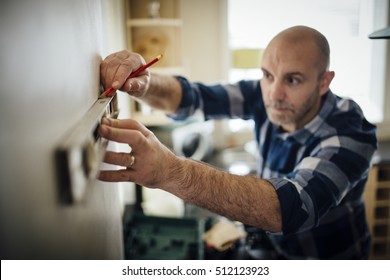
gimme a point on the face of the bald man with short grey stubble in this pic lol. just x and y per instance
(292, 84)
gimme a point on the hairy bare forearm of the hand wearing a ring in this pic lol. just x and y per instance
(247, 199)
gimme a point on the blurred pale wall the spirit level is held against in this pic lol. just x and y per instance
(49, 77)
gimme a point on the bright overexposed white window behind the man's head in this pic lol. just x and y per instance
(359, 62)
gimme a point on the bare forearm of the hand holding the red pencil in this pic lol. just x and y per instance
(164, 93)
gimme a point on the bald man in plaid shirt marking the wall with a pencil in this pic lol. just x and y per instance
(315, 148)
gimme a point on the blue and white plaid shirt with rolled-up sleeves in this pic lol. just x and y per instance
(319, 171)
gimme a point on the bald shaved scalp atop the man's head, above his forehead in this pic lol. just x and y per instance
(310, 38)
